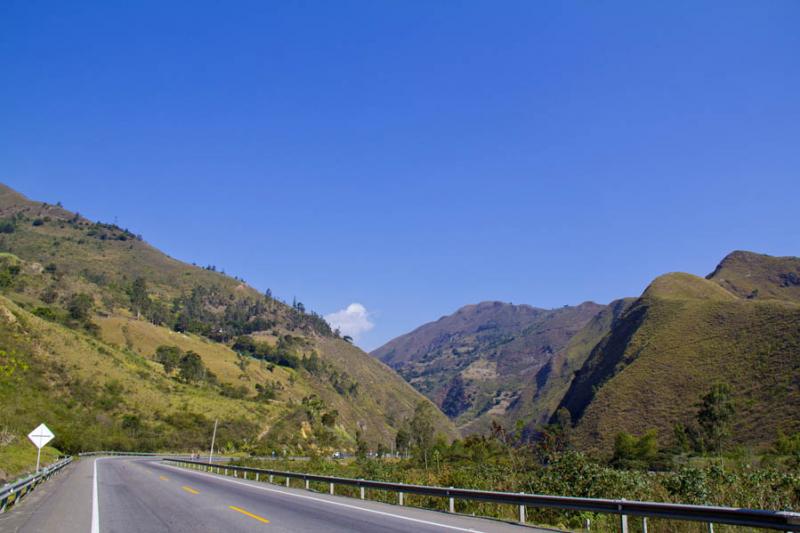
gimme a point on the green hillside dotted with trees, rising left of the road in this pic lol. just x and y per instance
(85, 307)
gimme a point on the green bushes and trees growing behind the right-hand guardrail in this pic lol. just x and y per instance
(639, 469)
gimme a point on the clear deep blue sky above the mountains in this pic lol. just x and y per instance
(414, 157)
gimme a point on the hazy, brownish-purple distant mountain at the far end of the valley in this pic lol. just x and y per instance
(476, 362)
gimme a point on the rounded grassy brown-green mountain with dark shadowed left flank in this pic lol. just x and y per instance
(686, 333)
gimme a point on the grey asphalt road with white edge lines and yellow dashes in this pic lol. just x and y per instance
(145, 495)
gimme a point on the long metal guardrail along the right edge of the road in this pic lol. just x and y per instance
(781, 520)
